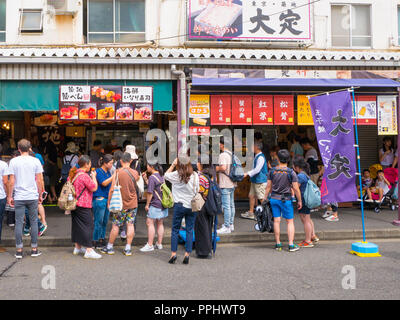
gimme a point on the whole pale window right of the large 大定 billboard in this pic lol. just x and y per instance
(351, 26)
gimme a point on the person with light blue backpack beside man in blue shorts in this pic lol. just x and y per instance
(302, 169)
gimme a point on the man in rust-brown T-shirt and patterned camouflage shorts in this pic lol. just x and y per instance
(127, 178)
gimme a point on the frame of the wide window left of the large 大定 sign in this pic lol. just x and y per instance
(114, 33)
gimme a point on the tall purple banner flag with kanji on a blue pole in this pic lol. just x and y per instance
(333, 123)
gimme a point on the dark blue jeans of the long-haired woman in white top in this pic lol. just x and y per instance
(190, 217)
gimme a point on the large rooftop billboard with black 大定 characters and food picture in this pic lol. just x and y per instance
(288, 20)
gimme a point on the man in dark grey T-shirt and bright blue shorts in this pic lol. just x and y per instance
(281, 181)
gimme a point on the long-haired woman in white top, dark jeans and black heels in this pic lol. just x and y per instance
(185, 183)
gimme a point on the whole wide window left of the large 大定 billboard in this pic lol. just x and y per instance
(115, 21)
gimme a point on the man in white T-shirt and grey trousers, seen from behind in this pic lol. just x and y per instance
(26, 180)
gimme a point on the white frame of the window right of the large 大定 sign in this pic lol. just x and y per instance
(351, 7)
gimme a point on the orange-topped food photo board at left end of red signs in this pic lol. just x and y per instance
(199, 115)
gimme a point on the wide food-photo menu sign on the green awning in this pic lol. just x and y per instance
(106, 103)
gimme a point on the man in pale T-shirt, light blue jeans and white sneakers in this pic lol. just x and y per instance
(227, 189)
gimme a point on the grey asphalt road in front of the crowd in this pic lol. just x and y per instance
(245, 271)
